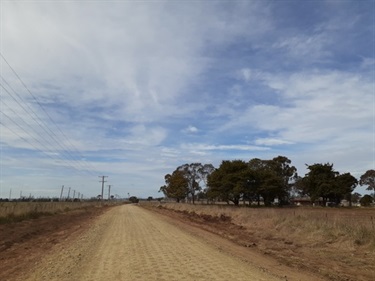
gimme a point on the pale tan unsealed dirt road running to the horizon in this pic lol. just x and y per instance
(131, 243)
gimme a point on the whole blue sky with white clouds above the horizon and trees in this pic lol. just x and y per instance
(133, 89)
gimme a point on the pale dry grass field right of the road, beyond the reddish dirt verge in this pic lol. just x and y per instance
(352, 227)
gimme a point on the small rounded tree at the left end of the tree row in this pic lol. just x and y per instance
(176, 186)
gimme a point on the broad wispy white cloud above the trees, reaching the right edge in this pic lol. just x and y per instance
(314, 106)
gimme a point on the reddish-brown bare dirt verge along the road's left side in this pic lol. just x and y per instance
(22, 243)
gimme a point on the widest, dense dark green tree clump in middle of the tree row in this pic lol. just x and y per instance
(253, 180)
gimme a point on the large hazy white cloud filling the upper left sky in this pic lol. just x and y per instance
(139, 57)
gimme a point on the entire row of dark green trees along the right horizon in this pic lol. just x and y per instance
(267, 181)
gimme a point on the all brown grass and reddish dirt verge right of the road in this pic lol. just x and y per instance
(339, 244)
